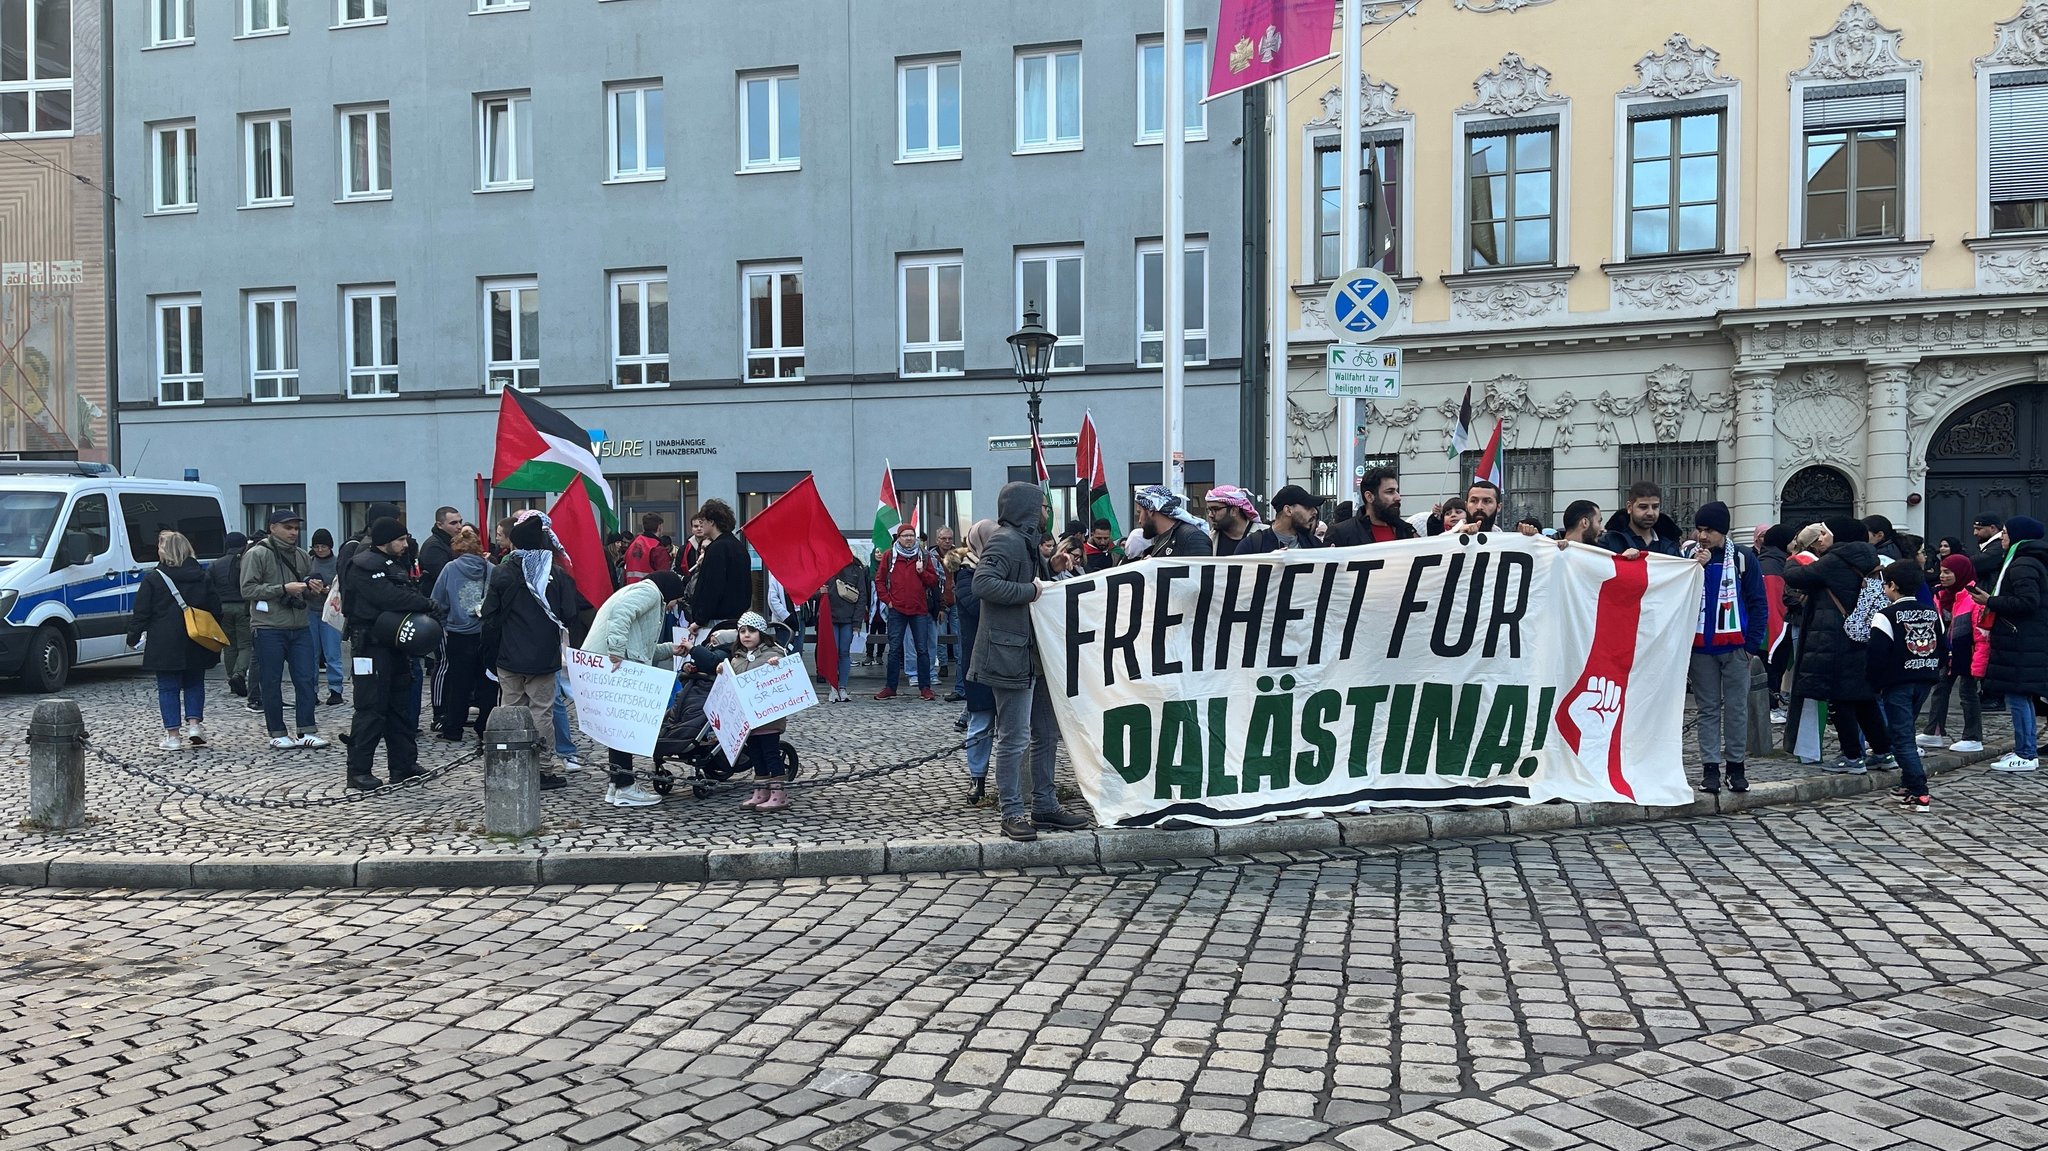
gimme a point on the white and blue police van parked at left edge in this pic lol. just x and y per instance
(77, 540)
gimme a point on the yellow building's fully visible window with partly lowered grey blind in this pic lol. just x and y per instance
(1854, 138)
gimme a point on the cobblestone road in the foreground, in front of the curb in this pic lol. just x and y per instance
(1832, 976)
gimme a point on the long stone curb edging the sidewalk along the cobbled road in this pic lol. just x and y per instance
(902, 857)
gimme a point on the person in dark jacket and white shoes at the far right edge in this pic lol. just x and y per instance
(2018, 611)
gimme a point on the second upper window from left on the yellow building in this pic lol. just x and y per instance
(1510, 198)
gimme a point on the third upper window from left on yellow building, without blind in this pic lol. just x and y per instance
(1674, 179)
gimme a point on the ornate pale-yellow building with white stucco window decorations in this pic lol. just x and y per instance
(1791, 255)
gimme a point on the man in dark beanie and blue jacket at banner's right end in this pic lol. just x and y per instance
(1732, 628)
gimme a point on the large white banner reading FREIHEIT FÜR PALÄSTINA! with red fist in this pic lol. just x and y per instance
(1465, 671)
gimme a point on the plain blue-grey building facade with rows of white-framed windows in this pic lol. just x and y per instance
(742, 243)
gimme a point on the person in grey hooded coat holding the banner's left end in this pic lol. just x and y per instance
(1007, 660)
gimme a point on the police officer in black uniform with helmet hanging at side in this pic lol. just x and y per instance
(380, 583)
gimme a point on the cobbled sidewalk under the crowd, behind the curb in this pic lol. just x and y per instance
(843, 800)
